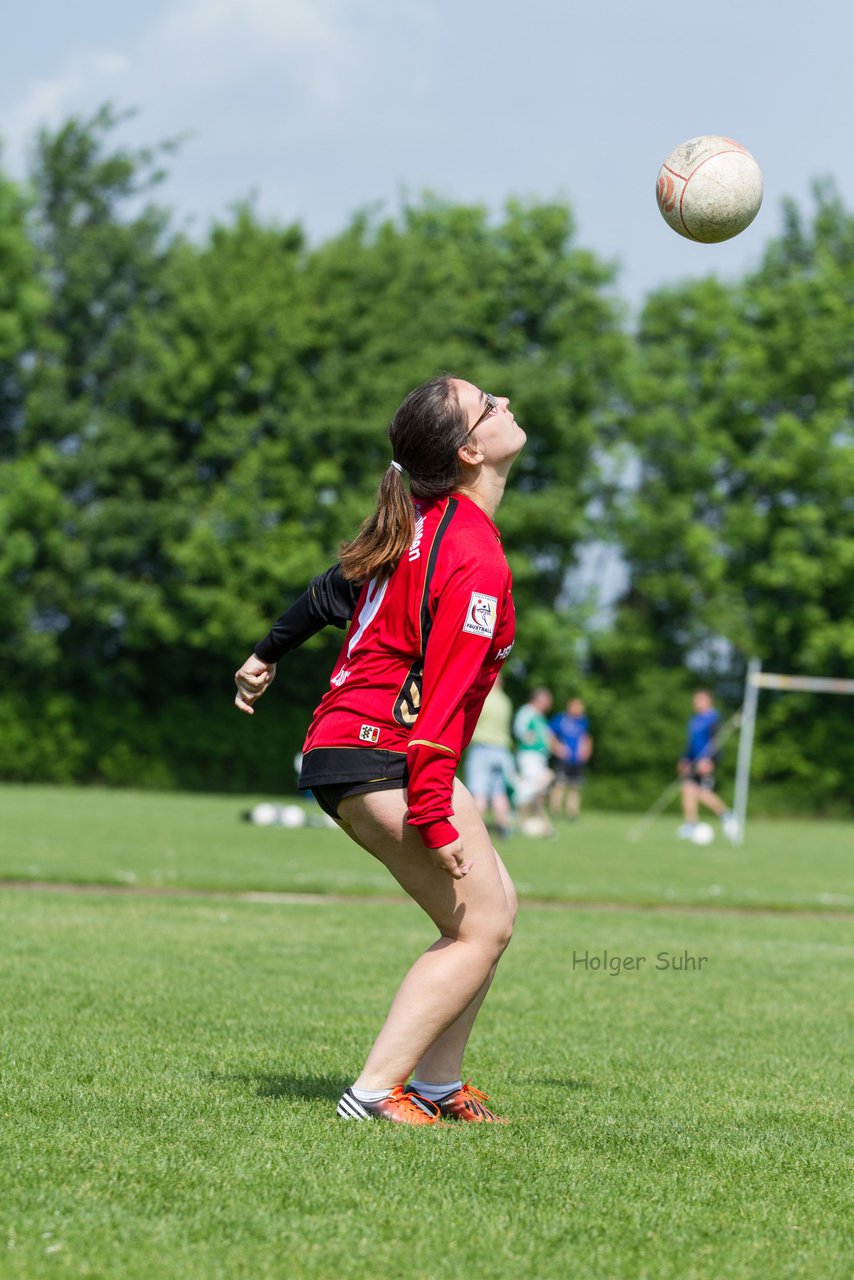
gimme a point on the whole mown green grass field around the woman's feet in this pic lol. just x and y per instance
(171, 1064)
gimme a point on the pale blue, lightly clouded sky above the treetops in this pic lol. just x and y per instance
(325, 107)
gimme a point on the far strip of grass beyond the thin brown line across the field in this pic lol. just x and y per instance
(125, 838)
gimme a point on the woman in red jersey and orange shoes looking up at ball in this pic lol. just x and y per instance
(426, 592)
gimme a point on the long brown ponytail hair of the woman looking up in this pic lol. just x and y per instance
(427, 432)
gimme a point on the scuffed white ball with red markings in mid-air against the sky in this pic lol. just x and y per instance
(710, 189)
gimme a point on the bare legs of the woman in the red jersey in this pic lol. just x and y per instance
(474, 917)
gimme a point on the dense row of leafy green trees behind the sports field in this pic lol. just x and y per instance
(190, 427)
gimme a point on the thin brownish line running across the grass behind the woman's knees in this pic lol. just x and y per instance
(273, 897)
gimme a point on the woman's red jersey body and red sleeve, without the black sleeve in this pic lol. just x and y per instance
(422, 655)
